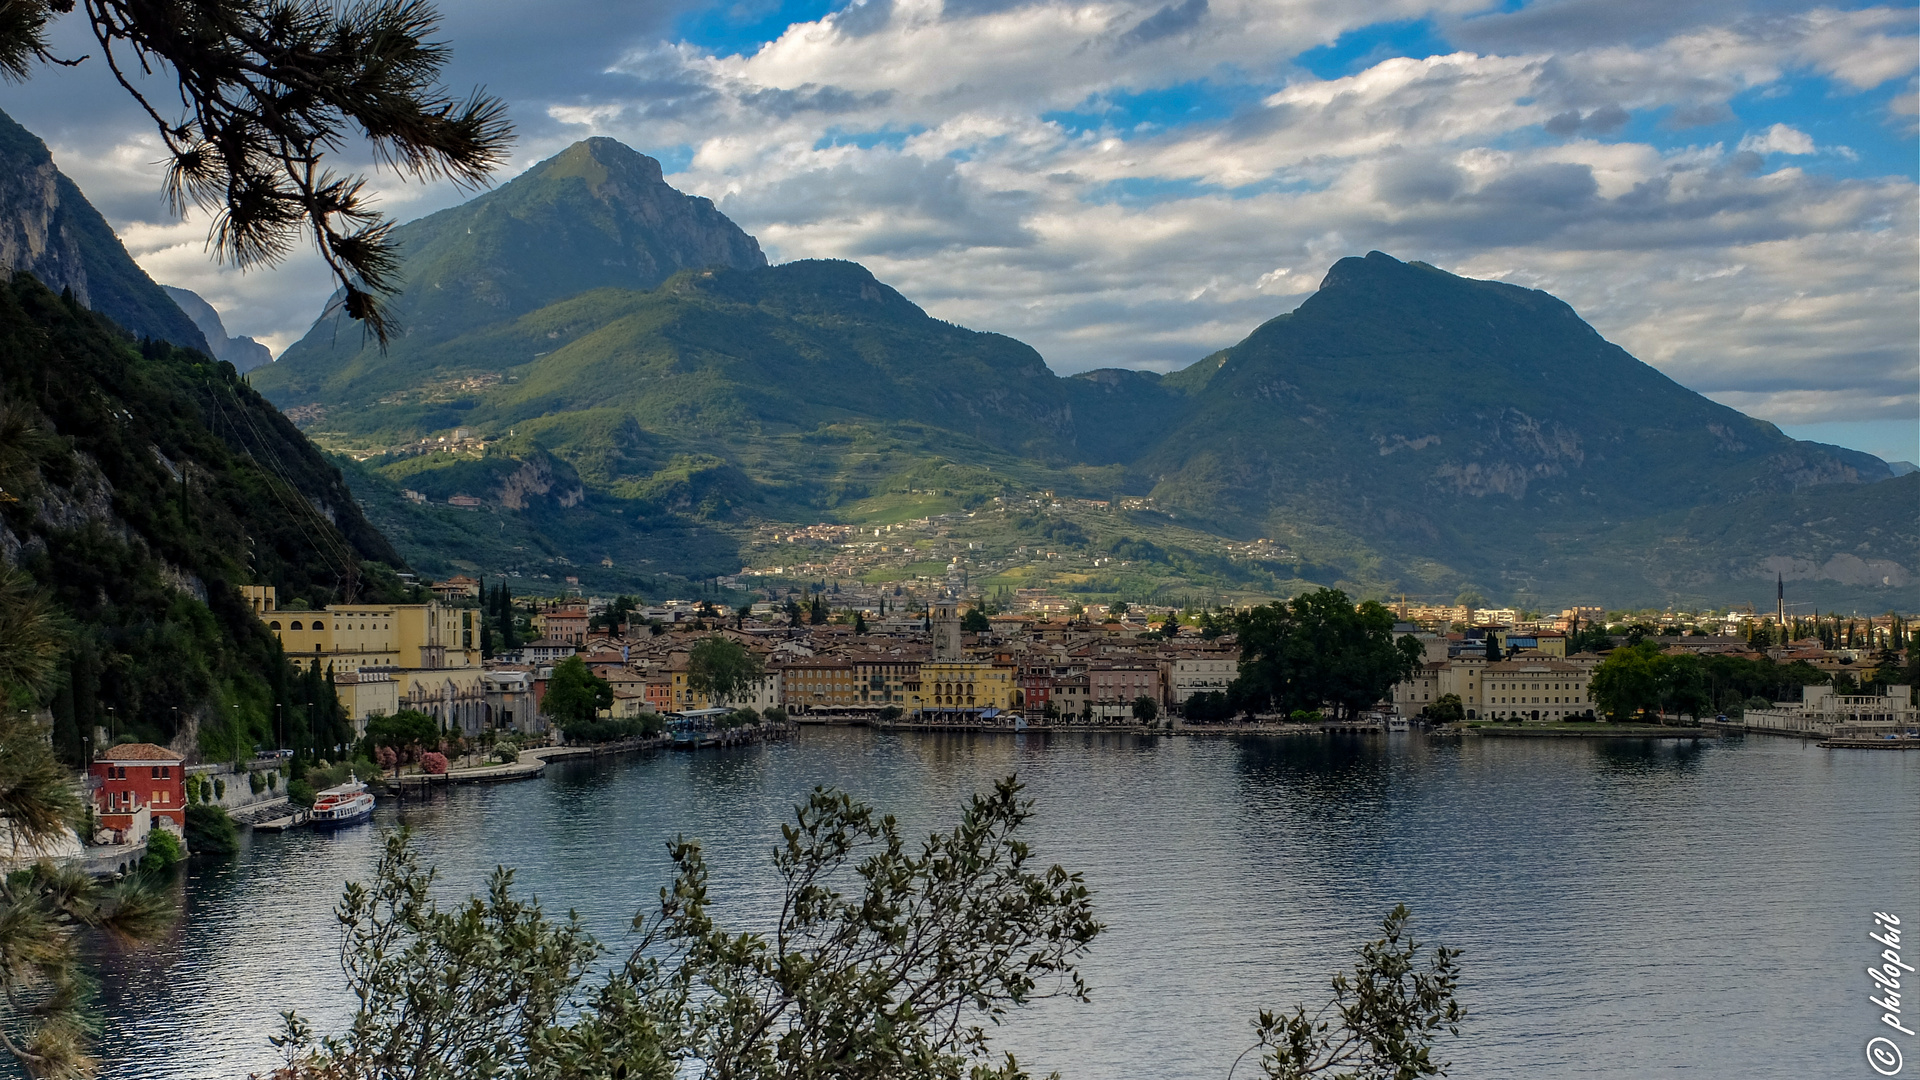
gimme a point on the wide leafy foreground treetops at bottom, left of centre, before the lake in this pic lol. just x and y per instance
(888, 960)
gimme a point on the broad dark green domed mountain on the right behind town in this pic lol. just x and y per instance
(1477, 428)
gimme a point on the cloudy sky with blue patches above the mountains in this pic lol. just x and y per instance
(1723, 187)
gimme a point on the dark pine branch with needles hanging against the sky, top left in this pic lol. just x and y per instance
(270, 87)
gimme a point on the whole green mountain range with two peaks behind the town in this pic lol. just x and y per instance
(1403, 431)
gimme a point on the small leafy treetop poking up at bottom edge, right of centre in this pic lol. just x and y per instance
(1389, 1014)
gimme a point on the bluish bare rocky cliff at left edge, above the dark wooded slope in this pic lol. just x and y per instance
(51, 232)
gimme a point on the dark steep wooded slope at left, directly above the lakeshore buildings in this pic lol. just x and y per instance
(145, 485)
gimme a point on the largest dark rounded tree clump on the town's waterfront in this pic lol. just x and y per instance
(1320, 649)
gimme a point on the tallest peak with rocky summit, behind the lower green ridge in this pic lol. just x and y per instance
(592, 216)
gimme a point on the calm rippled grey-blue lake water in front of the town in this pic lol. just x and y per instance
(1625, 910)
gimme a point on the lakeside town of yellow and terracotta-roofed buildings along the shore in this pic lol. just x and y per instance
(475, 664)
